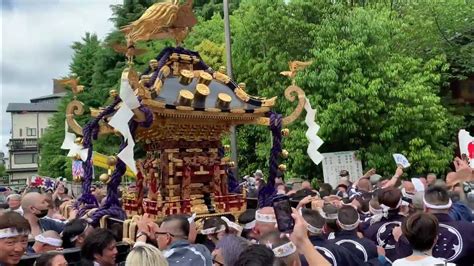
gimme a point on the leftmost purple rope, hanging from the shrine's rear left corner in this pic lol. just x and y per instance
(87, 200)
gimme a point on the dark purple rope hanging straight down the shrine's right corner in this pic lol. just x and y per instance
(266, 193)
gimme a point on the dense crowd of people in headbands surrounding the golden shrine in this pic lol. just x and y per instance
(369, 221)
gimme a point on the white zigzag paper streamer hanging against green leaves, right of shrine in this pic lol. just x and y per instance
(311, 134)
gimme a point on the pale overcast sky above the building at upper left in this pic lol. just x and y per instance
(36, 37)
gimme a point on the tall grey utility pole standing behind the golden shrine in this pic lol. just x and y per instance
(228, 52)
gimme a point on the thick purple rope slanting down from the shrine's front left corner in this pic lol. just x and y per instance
(112, 206)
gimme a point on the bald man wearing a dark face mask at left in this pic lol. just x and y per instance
(35, 208)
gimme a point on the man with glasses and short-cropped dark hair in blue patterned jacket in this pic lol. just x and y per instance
(172, 239)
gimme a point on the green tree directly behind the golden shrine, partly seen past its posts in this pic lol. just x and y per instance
(259, 56)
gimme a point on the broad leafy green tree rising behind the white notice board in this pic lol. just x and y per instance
(372, 98)
